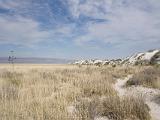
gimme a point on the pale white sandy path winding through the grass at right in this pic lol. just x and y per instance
(147, 93)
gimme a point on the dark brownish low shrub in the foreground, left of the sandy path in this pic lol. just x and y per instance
(125, 108)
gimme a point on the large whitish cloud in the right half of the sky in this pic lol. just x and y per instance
(127, 24)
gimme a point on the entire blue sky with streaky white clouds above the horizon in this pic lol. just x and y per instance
(78, 29)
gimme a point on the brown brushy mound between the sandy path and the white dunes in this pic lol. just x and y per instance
(147, 77)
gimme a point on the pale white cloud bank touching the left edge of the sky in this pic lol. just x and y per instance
(20, 31)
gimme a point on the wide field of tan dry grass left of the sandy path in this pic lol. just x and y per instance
(44, 92)
